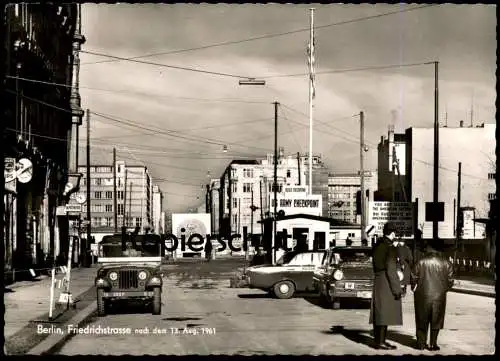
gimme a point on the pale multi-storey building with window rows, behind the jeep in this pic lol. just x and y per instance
(133, 198)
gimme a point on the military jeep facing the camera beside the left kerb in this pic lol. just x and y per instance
(130, 269)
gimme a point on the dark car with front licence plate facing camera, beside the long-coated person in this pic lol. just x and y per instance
(346, 273)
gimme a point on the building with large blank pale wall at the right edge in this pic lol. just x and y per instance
(473, 147)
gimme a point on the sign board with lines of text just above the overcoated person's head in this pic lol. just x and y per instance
(399, 213)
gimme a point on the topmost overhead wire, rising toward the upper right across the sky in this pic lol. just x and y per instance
(267, 36)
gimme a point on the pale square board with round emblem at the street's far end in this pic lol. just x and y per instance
(186, 224)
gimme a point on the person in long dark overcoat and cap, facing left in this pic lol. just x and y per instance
(386, 309)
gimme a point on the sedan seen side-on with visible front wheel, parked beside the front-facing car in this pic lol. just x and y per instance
(293, 272)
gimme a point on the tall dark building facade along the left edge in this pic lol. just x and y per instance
(38, 119)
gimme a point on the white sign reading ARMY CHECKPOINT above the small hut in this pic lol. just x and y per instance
(310, 204)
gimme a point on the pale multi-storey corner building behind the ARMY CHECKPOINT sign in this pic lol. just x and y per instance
(250, 182)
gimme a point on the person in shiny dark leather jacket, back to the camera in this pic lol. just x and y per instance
(432, 278)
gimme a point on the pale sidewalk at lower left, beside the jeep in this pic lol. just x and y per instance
(28, 301)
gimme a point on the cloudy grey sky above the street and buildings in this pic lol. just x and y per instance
(176, 121)
